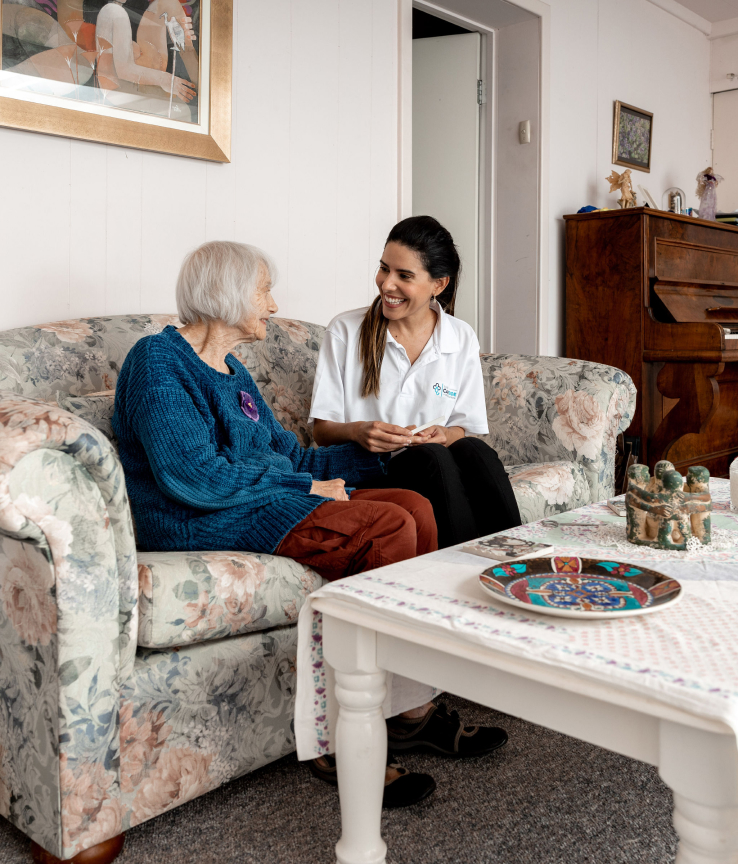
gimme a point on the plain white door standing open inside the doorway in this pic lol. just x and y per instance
(446, 149)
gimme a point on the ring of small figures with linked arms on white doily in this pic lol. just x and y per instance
(663, 512)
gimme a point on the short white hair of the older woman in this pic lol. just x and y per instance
(217, 282)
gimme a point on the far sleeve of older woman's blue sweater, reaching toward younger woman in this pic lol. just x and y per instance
(347, 461)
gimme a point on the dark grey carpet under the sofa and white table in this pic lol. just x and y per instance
(544, 799)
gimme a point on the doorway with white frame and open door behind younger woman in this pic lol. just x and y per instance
(491, 191)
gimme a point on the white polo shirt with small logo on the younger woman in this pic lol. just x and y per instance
(445, 380)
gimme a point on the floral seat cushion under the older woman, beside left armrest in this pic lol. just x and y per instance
(187, 597)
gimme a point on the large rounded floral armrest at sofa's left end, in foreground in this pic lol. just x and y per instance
(68, 624)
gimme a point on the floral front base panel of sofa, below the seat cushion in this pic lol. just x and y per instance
(195, 718)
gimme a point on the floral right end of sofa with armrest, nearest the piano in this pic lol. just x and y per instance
(543, 409)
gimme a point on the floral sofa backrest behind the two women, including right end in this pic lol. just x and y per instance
(540, 409)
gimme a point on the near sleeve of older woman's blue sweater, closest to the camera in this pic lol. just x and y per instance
(188, 467)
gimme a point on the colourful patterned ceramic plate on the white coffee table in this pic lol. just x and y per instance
(580, 587)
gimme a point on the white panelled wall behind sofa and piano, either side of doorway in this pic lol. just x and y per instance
(87, 229)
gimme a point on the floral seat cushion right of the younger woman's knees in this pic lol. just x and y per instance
(545, 488)
